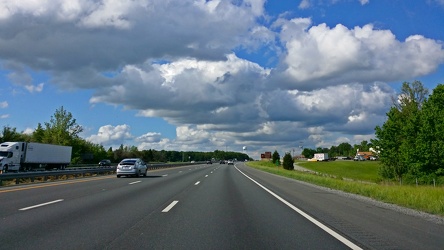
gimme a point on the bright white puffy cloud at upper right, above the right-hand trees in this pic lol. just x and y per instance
(319, 56)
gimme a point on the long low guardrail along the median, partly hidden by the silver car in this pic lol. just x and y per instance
(76, 171)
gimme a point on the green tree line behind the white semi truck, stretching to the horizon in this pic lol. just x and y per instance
(62, 129)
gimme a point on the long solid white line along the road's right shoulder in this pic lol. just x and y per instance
(308, 217)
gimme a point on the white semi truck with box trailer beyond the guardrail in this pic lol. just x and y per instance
(22, 156)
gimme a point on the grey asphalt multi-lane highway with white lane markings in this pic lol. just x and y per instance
(208, 206)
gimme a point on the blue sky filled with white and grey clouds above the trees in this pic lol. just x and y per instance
(198, 75)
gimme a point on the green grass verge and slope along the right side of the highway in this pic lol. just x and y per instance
(422, 198)
